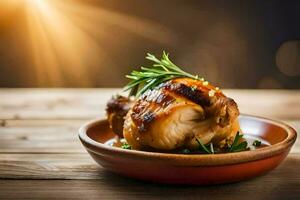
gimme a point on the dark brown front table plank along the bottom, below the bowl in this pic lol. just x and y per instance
(271, 186)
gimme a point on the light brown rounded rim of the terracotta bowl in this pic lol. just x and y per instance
(195, 159)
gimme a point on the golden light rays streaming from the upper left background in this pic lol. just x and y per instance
(69, 38)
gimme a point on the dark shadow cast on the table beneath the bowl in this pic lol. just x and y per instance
(278, 184)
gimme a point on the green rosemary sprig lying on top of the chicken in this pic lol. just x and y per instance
(161, 71)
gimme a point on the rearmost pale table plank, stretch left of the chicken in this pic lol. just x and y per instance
(54, 103)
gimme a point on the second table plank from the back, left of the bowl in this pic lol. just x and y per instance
(45, 138)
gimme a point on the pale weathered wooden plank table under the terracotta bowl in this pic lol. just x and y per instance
(42, 157)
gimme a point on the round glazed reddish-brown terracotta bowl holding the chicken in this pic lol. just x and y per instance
(192, 169)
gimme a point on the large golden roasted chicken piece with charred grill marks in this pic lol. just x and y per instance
(174, 114)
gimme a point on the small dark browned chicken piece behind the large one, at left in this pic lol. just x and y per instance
(116, 109)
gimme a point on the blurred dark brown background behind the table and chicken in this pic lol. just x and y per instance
(234, 44)
